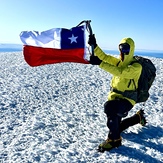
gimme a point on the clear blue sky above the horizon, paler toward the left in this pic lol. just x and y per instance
(112, 20)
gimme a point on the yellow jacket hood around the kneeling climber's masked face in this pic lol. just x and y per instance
(128, 58)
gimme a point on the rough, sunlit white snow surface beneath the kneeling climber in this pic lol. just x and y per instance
(54, 113)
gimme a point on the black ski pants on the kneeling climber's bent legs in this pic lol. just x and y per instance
(115, 111)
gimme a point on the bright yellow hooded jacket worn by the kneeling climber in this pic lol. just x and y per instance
(122, 71)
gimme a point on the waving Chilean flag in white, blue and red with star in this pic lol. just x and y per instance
(54, 46)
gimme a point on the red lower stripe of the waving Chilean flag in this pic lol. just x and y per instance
(36, 56)
